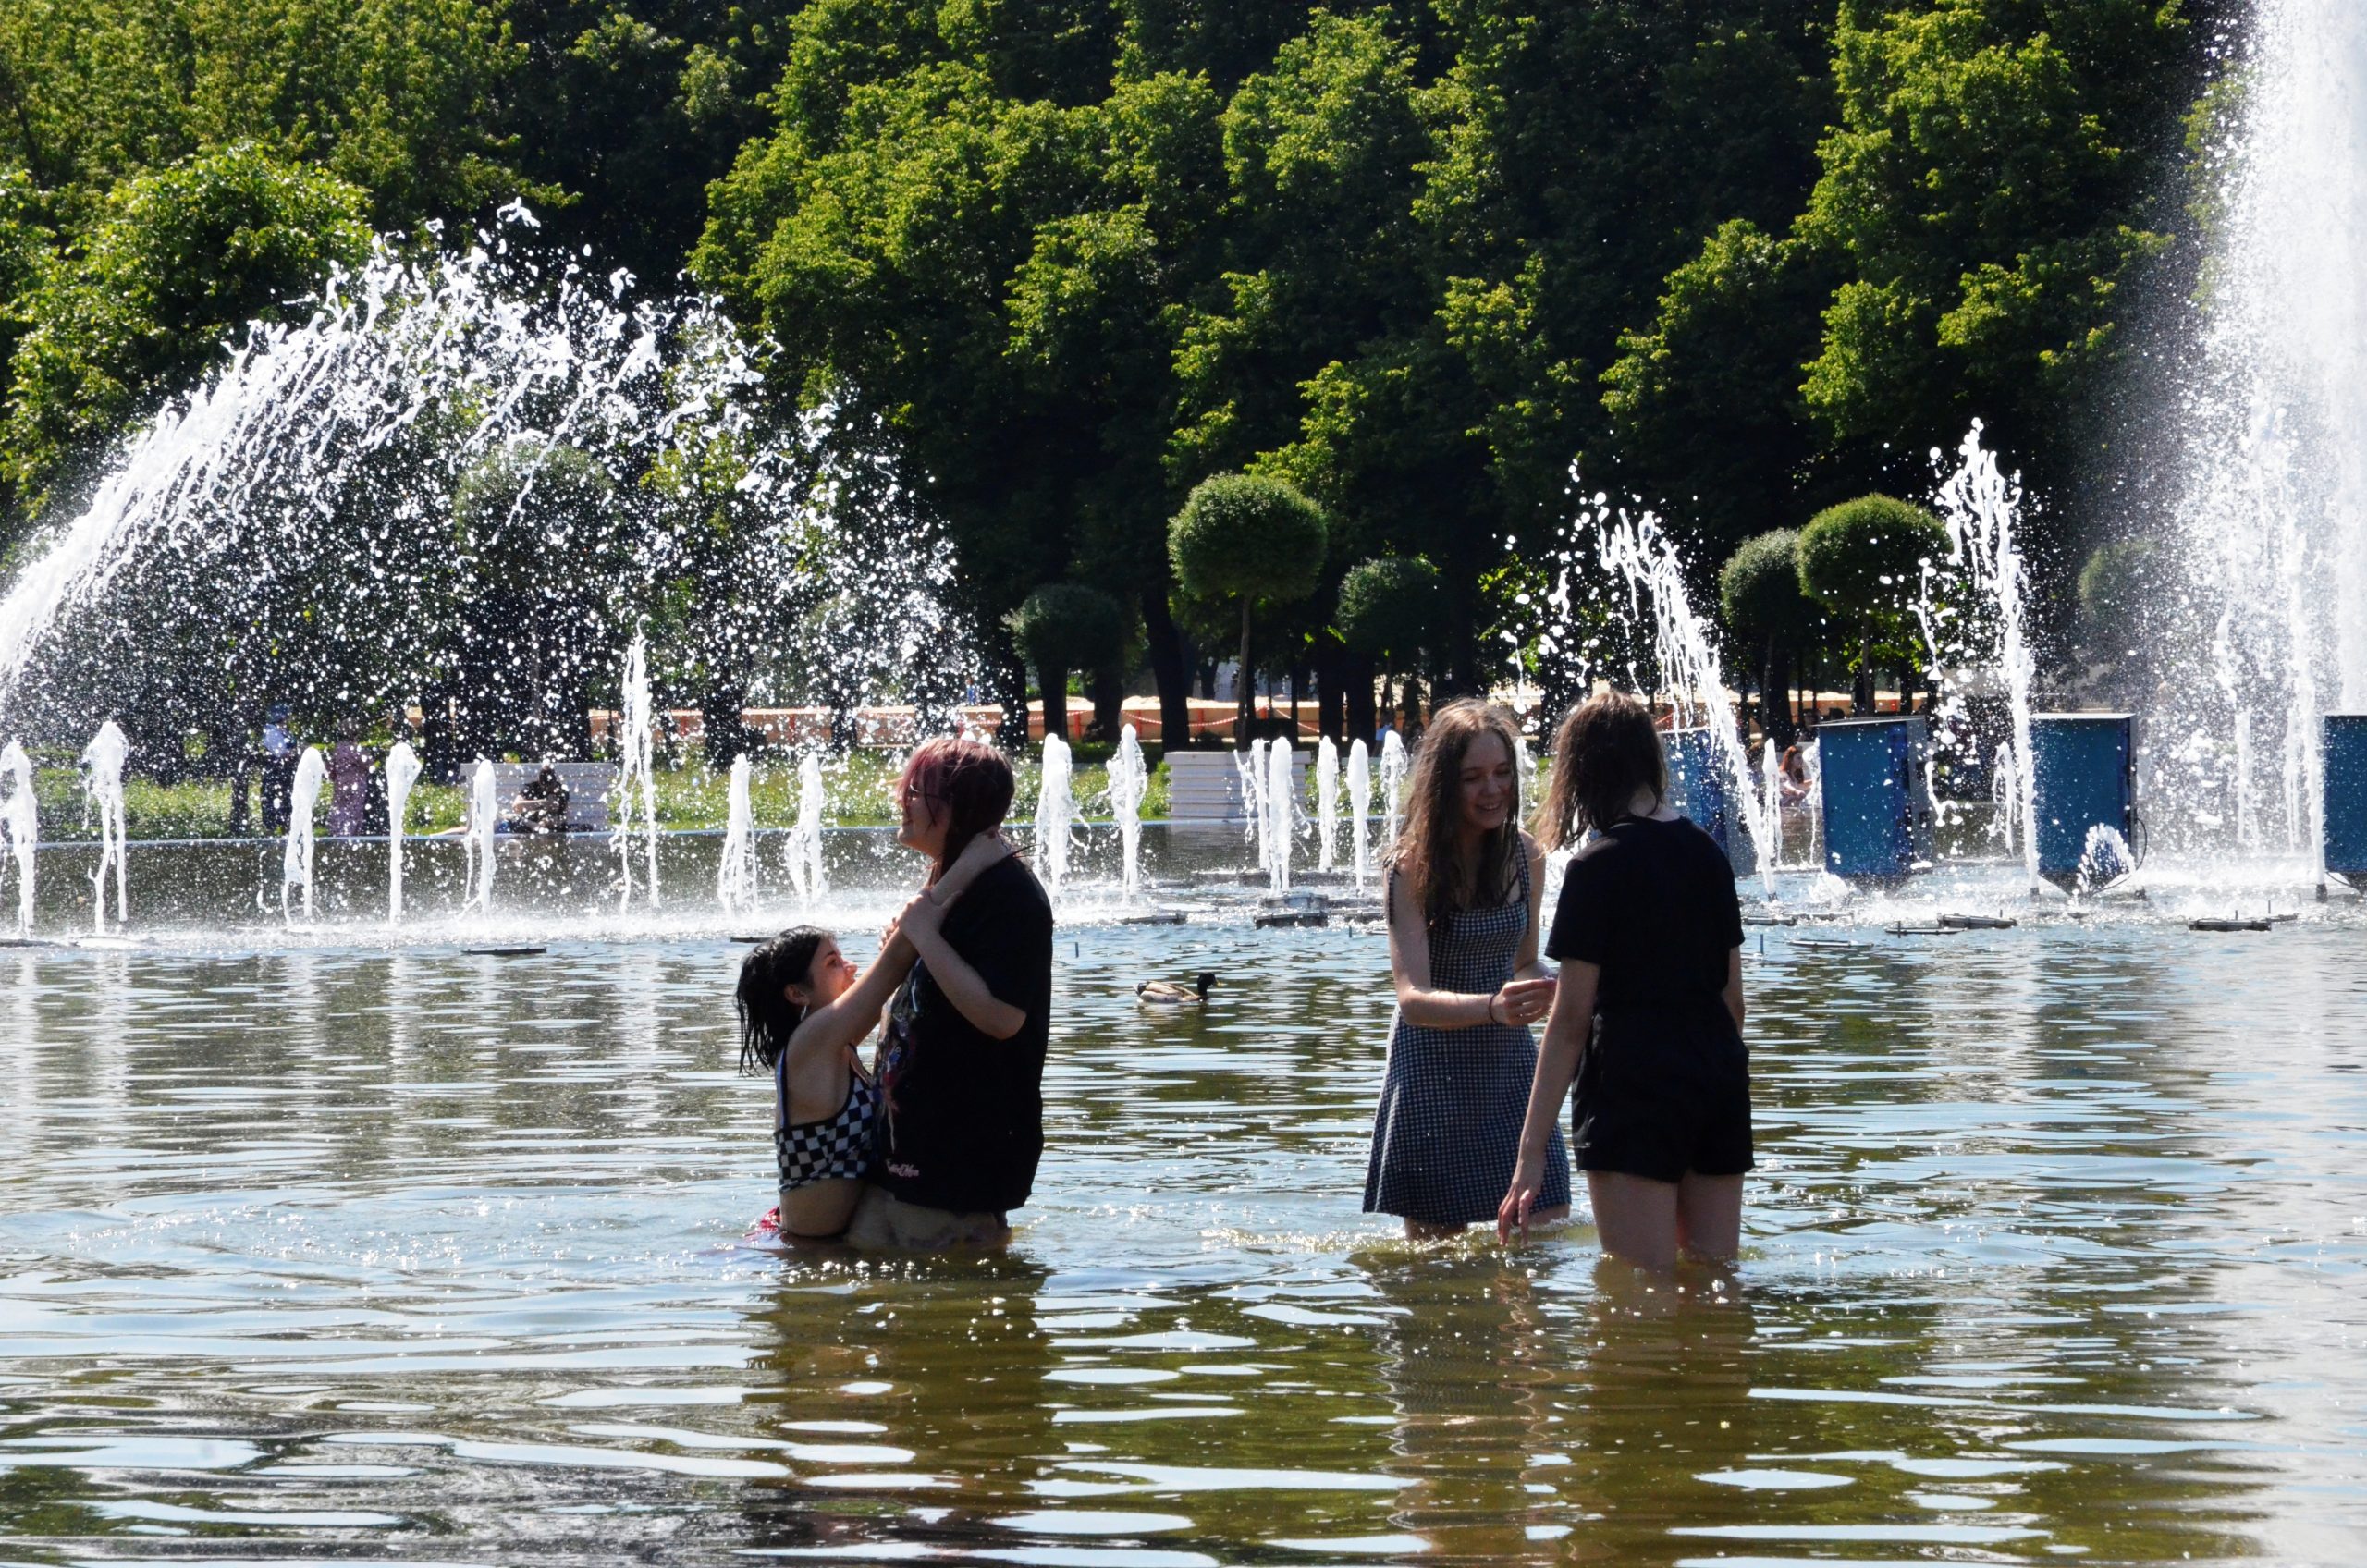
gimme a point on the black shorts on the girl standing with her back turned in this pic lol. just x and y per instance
(1665, 1093)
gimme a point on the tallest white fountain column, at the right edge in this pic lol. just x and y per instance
(2274, 508)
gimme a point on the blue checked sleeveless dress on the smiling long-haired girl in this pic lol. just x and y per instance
(1447, 1131)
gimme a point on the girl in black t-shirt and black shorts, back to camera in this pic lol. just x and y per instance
(1649, 1013)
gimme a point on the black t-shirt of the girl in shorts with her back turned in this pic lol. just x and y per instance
(1656, 908)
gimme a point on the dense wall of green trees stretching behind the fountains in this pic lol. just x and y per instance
(1062, 262)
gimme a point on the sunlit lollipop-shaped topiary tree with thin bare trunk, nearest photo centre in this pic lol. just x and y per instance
(1249, 539)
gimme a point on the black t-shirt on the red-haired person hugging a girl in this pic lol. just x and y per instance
(965, 1119)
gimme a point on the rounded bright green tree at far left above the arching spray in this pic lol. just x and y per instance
(143, 302)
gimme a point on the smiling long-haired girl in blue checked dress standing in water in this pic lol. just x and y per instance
(1464, 901)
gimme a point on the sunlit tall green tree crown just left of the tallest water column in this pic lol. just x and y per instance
(1989, 195)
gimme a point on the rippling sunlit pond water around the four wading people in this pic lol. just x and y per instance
(318, 1247)
